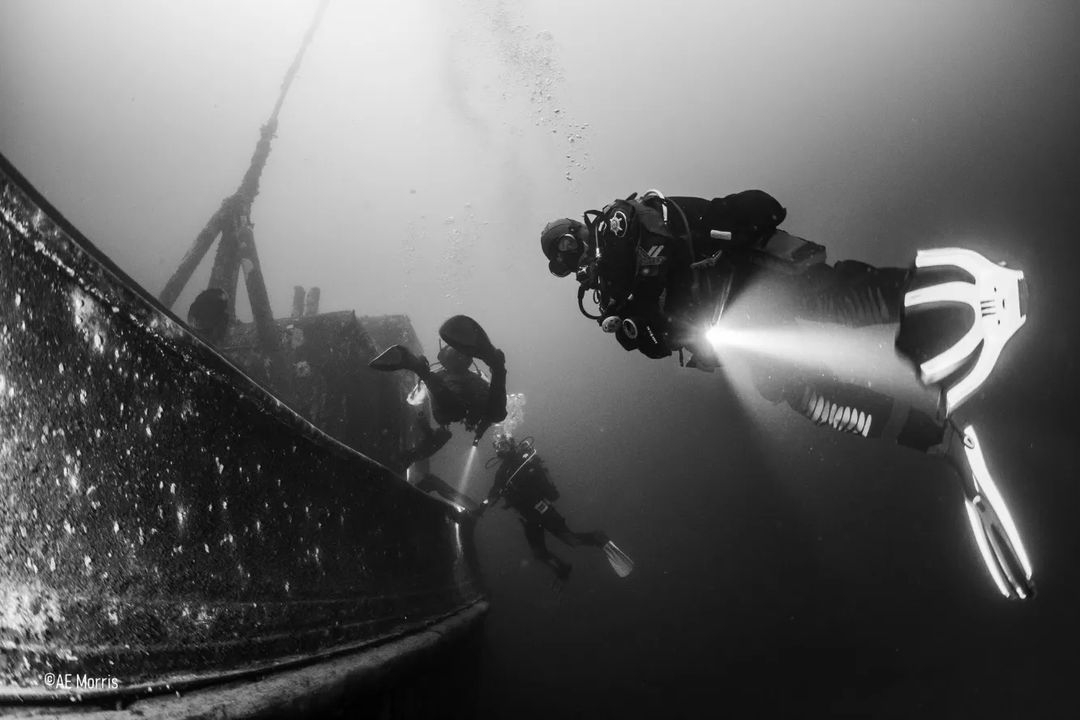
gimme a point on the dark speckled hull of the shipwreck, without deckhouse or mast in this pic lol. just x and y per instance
(165, 521)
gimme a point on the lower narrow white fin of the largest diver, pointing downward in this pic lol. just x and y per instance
(993, 526)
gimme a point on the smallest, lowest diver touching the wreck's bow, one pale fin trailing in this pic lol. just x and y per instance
(523, 483)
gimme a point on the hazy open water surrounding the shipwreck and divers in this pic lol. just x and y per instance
(781, 568)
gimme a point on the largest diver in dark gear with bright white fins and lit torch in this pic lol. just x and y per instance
(663, 270)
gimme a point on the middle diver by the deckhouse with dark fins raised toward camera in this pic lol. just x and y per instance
(458, 393)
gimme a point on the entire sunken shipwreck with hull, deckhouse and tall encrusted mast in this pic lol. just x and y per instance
(212, 525)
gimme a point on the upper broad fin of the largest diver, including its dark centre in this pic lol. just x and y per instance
(954, 288)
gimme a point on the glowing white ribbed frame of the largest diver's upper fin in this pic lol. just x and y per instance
(997, 297)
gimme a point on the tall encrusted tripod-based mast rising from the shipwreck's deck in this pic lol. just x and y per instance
(232, 223)
